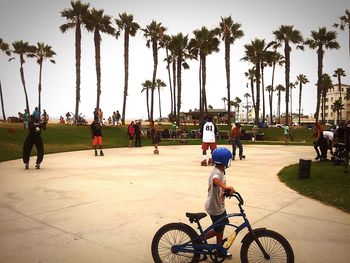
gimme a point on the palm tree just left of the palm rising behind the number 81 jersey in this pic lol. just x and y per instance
(181, 52)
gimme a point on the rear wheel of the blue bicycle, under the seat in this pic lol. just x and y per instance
(169, 235)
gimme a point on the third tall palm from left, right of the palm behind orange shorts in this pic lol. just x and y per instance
(126, 22)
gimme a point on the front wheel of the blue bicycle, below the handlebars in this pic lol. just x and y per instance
(274, 243)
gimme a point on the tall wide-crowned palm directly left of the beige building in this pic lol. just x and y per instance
(321, 40)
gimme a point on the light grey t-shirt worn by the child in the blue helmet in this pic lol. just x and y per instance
(215, 203)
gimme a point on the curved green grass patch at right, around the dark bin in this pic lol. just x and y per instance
(327, 183)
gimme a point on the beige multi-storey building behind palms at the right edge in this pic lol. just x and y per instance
(333, 94)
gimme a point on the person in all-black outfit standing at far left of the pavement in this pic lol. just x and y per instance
(34, 138)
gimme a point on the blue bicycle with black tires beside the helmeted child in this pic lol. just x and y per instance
(179, 242)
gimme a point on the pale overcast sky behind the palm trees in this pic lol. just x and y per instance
(39, 20)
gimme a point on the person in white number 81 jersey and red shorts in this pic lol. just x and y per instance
(209, 132)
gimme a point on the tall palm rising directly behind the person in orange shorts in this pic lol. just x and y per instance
(98, 22)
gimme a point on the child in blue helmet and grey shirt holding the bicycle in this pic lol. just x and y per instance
(215, 202)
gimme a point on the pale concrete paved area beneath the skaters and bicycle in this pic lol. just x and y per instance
(81, 208)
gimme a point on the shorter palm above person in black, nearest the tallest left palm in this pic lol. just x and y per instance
(43, 52)
